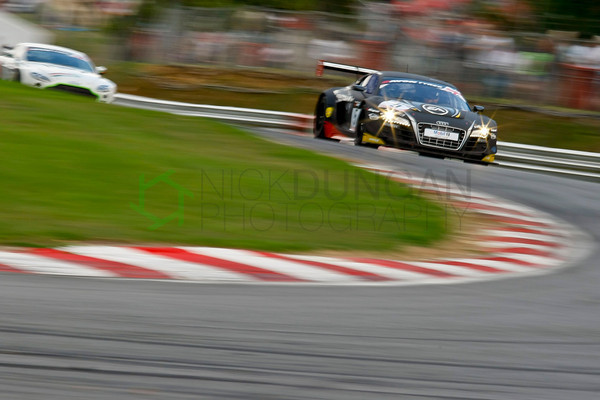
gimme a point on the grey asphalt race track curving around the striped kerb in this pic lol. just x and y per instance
(525, 338)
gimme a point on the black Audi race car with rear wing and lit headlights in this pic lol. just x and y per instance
(405, 111)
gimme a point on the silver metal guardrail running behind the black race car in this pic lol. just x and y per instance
(510, 155)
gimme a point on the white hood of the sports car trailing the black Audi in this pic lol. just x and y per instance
(69, 76)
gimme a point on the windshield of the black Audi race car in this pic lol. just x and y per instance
(423, 92)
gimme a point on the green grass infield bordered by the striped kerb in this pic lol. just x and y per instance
(71, 171)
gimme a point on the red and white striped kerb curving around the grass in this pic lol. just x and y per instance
(519, 241)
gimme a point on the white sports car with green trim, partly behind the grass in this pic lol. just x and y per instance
(47, 66)
